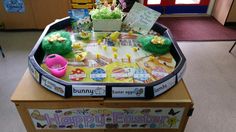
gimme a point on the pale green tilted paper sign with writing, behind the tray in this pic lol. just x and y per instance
(141, 18)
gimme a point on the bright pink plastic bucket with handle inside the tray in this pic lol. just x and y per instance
(56, 64)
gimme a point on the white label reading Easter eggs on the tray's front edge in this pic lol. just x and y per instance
(134, 92)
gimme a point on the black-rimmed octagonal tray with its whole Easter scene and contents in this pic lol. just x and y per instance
(73, 59)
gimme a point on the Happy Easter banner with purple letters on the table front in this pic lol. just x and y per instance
(101, 118)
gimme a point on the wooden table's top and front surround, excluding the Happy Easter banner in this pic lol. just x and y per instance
(37, 97)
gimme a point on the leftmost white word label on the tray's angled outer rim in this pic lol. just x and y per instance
(53, 86)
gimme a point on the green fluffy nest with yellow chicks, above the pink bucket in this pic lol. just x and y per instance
(58, 42)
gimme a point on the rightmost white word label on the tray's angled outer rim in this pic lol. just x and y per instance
(161, 88)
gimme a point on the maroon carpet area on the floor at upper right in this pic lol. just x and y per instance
(198, 29)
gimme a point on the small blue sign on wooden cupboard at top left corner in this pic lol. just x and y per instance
(14, 6)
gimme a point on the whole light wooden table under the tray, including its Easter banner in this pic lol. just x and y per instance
(42, 110)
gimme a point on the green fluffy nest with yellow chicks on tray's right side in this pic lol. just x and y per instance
(155, 44)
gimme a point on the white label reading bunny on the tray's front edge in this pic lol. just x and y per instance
(88, 90)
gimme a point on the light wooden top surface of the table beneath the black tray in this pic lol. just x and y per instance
(28, 90)
